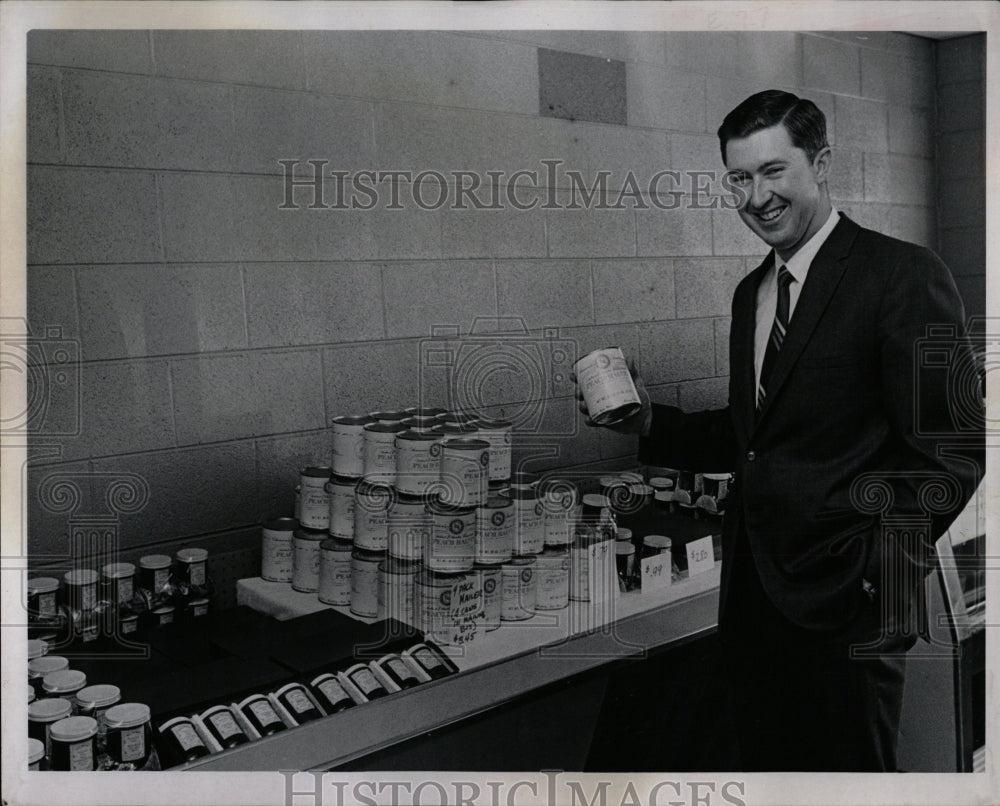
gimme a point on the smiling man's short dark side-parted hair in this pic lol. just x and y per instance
(804, 122)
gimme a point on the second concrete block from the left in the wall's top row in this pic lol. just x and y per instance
(269, 58)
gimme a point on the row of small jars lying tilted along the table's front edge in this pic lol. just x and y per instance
(187, 738)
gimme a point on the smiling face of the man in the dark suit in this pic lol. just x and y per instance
(784, 193)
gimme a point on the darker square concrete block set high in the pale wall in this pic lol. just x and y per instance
(574, 86)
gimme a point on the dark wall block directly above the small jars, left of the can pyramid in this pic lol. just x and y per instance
(192, 492)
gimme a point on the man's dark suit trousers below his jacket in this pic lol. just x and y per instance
(801, 702)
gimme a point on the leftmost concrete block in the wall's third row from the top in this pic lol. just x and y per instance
(80, 215)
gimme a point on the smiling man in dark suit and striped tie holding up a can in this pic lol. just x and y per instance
(823, 404)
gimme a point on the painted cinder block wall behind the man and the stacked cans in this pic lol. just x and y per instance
(218, 333)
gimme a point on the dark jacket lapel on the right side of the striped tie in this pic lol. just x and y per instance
(824, 275)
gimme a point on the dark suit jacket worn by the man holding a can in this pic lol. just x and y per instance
(849, 405)
